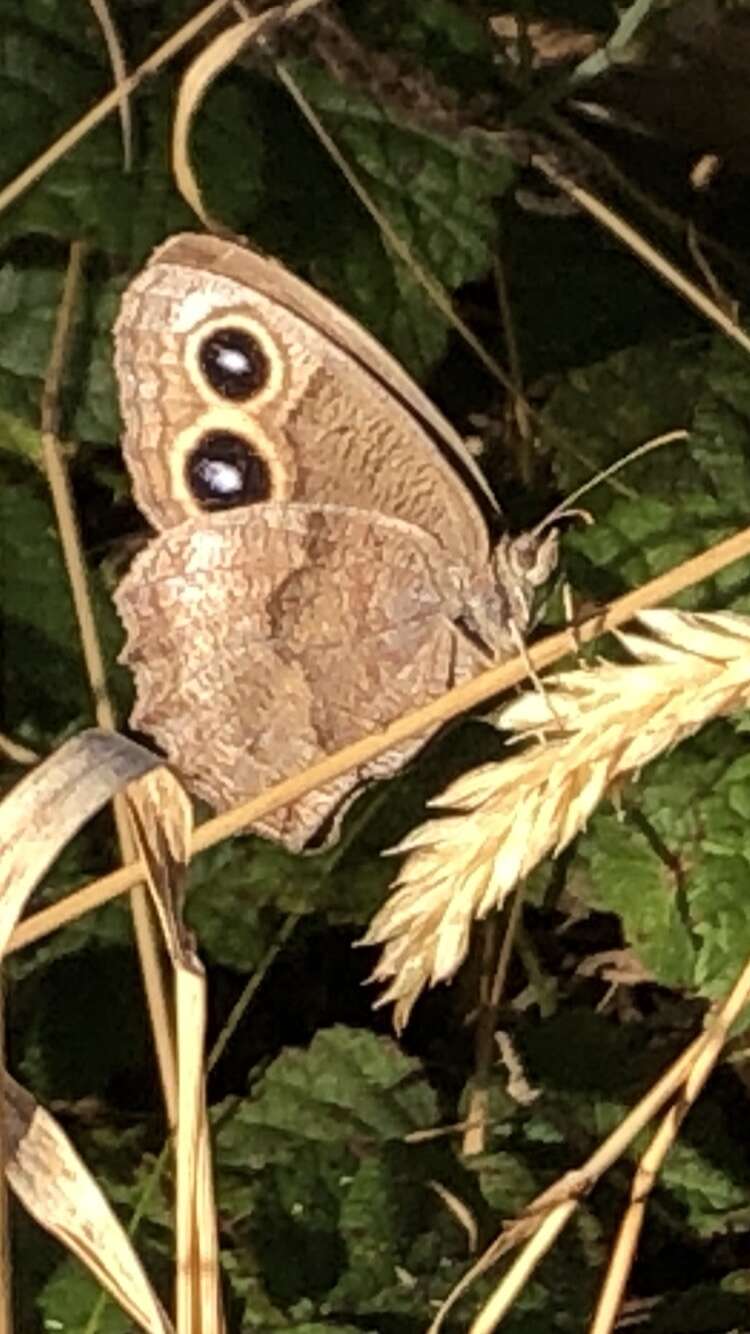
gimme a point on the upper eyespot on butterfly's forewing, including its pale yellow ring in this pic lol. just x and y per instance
(234, 360)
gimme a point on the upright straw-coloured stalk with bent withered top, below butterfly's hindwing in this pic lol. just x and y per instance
(163, 822)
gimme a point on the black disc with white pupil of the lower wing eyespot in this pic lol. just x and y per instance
(225, 472)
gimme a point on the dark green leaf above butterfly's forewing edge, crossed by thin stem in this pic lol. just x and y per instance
(437, 193)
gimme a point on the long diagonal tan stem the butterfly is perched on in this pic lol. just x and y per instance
(469, 696)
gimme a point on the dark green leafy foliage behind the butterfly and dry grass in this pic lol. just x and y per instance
(329, 1220)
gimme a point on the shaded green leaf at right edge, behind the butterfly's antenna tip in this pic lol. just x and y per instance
(680, 498)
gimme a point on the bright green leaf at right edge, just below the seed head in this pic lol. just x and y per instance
(675, 866)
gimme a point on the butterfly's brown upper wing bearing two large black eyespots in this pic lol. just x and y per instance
(224, 357)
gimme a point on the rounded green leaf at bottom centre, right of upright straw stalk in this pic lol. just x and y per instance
(332, 1179)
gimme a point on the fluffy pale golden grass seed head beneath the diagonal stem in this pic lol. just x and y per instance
(597, 726)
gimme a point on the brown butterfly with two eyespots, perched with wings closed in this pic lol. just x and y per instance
(321, 565)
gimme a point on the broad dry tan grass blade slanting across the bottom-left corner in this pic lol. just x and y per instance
(55, 1187)
